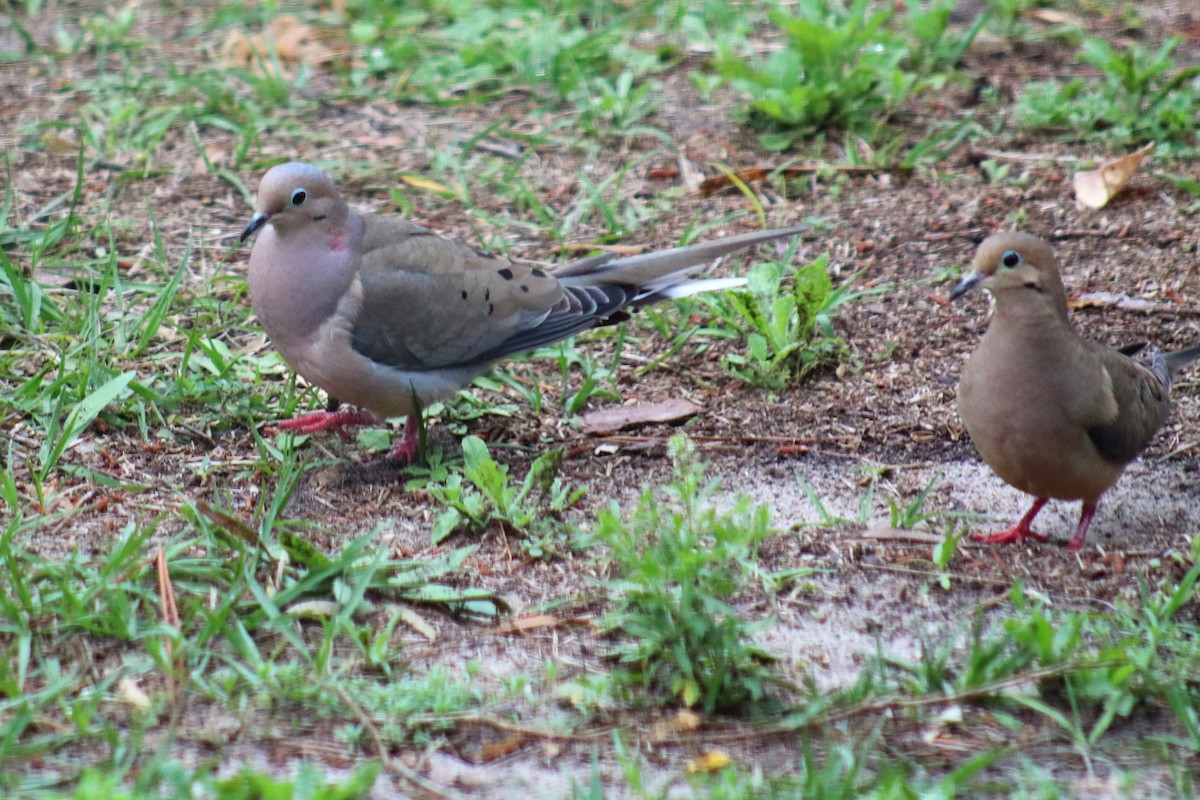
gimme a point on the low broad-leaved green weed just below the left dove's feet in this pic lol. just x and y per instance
(483, 497)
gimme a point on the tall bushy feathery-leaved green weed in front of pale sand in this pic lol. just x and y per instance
(677, 563)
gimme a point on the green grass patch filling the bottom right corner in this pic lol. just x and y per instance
(1076, 675)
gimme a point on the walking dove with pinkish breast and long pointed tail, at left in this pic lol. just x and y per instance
(385, 315)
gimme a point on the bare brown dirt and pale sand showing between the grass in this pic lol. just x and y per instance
(891, 407)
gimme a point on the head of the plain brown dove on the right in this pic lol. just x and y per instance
(1016, 268)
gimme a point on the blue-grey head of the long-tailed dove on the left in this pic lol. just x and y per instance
(295, 195)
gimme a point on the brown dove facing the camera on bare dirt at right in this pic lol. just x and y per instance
(1053, 414)
